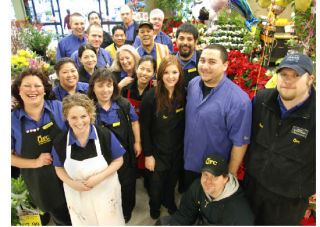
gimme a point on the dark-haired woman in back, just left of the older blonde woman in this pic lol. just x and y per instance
(88, 58)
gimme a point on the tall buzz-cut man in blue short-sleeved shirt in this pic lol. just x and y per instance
(218, 115)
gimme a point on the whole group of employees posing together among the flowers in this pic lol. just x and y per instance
(132, 107)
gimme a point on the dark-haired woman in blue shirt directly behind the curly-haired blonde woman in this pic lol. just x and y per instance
(68, 77)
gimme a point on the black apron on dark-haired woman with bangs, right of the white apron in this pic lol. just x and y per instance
(121, 130)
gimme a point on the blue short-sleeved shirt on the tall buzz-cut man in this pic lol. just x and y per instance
(216, 123)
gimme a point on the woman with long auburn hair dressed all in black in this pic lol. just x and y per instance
(162, 130)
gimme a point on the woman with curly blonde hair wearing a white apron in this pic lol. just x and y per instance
(86, 159)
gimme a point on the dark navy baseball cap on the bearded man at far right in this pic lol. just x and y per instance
(300, 63)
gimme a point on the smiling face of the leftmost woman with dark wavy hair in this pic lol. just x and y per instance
(32, 91)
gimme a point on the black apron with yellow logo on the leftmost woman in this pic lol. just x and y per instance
(44, 186)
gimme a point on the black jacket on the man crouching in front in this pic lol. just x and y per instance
(196, 209)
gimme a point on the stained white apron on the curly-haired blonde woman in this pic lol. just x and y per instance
(102, 204)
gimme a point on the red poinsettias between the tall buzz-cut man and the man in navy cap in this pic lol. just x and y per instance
(248, 76)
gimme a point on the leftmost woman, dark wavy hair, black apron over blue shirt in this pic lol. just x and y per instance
(36, 120)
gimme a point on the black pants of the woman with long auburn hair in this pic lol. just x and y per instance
(162, 185)
